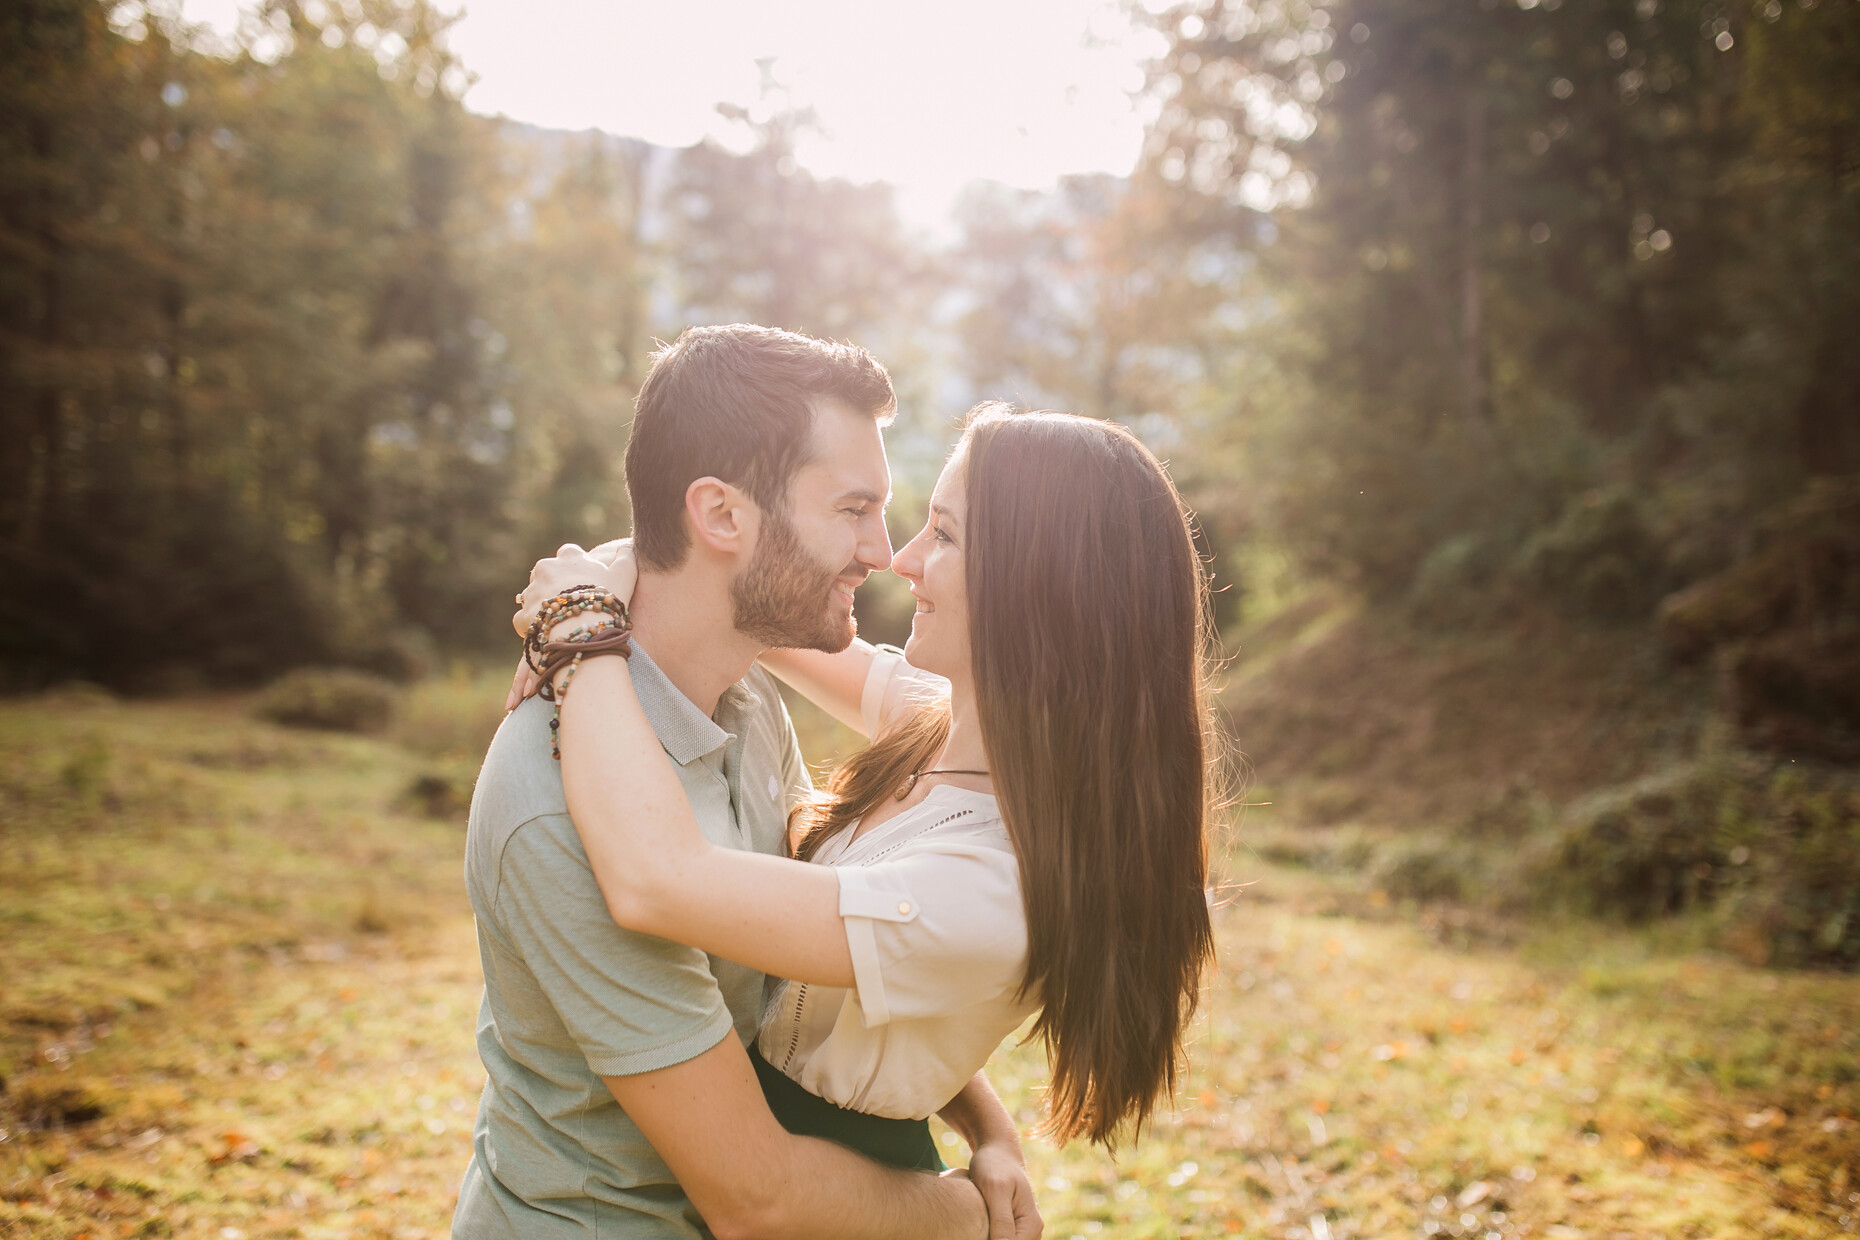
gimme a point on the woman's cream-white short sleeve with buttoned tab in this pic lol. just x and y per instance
(933, 932)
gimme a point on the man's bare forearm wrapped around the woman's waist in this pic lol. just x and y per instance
(752, 1180)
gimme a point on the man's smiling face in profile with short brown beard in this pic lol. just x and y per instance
(797, 588)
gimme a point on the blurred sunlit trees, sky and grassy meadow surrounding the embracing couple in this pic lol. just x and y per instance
(1504, 350)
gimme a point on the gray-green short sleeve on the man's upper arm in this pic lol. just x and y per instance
(630, 1001)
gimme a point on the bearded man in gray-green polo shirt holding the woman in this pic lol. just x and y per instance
(620, 1100)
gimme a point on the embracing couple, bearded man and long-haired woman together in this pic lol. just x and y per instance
(724, 1003)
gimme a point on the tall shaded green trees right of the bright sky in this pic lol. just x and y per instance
(1517, 259)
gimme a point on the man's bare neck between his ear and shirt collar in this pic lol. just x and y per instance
(684, 620)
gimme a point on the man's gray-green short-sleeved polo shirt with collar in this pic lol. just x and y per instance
(572, 997)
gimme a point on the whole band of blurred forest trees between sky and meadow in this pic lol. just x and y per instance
(1465, 306)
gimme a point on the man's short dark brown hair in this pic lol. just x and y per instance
(737, 404)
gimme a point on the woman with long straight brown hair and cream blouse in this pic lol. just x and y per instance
(1024, 836)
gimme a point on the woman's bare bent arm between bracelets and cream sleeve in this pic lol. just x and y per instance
(658, 871)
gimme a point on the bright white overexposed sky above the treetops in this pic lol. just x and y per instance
(923, 96)
